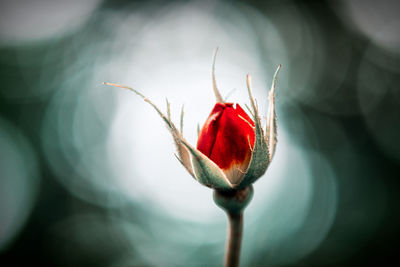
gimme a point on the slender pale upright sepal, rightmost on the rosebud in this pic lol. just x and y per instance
(270, 136)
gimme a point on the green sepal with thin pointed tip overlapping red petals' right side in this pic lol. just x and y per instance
(260, 157)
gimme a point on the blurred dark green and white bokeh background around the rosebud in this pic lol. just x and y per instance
(87, 171)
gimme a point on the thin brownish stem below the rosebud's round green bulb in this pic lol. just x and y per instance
(235, 231)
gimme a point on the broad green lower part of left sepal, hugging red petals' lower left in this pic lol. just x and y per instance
(206, 171)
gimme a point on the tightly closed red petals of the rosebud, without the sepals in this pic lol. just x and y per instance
(227, 138)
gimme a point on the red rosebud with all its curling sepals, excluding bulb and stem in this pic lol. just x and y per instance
(233, 150)
